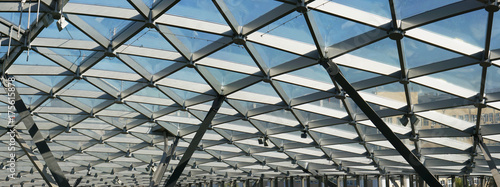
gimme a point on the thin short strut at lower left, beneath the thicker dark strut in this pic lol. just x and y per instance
(34, 160)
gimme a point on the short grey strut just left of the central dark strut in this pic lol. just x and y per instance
(165, 160)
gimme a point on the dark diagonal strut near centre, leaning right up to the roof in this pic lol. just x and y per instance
(195, 141)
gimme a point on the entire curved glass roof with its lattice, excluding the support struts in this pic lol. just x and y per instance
(119, 75)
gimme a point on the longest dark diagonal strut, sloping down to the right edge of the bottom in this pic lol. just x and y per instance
(336, 76)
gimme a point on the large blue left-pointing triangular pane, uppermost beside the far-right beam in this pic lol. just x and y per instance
(469, 27)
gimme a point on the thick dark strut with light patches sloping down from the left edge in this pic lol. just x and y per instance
(37, 136)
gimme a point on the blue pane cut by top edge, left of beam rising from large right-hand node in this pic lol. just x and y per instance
(378, 7)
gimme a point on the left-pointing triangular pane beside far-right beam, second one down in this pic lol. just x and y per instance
(468, 77)
